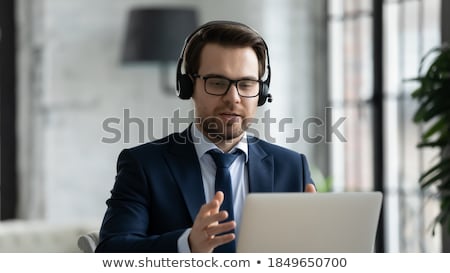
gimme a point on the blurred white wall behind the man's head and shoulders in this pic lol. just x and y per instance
(71, 81)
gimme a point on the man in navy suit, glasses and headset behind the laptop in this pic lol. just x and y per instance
(166, 197)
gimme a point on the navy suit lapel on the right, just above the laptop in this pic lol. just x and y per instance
(260, 168)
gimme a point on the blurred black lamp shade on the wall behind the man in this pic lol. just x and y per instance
(157, 34)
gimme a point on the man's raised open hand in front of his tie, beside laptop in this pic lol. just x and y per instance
(204, 234)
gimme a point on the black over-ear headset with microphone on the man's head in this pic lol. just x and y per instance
(184, 84)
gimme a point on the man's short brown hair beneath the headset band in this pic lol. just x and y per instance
(227, 34)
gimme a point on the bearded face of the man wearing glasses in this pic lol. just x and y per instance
(225, 117)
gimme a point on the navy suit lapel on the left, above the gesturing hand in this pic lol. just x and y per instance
(185, 167)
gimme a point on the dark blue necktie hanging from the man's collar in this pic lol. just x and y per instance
(223, 184)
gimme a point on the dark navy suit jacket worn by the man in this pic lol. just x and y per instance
(159, 190)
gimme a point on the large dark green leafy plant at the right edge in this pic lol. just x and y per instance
(433, 96)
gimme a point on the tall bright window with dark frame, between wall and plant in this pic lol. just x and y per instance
(410, 28)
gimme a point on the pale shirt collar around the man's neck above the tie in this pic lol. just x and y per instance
(203, 145)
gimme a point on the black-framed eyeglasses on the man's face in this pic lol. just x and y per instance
(219, 86)
